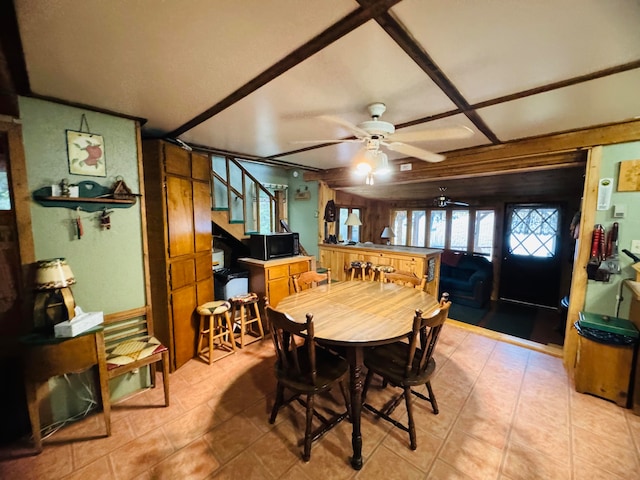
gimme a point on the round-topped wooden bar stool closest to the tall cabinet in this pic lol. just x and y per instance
(219, 327)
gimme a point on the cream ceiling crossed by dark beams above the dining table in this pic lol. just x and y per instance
(210, 70)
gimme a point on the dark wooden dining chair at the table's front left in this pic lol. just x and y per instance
(306, 371)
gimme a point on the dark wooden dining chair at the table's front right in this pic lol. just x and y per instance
(407, 365)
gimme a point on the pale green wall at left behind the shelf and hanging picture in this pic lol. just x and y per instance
(108, 264)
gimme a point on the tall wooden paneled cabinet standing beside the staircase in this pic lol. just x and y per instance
(178, 194)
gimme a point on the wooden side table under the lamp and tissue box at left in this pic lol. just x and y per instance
(45, 357)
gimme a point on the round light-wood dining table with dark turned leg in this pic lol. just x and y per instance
(355, 315)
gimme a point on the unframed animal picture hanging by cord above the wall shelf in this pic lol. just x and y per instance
(86, 151)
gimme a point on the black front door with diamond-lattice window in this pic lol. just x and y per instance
(531, 267)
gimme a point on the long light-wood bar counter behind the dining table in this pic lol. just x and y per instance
(421, 261)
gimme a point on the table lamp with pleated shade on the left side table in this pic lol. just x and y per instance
(54, 301)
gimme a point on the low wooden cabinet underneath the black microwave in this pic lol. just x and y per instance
(272, 278)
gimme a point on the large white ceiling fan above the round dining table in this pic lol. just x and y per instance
(376, 133)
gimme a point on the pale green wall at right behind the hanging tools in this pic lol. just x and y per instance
(600, 296)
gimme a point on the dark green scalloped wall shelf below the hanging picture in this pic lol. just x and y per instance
(92, 198)
